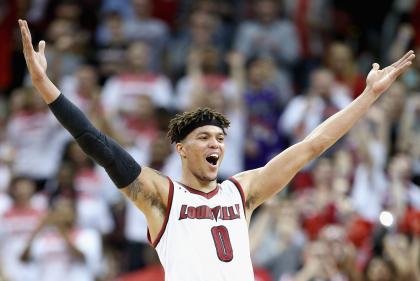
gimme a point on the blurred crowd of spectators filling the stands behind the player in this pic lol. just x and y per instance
(276, 68)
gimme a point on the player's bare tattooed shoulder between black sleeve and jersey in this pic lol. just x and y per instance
(149, 190)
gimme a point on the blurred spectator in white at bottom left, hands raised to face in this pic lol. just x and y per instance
(72, 253)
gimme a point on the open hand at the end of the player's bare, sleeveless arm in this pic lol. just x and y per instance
(379, 80)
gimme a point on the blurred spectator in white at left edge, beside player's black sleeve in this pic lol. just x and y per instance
(36, 137)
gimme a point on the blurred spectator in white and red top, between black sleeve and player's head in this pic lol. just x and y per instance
(130, 99)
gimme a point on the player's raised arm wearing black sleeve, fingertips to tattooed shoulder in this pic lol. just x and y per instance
(147, 188)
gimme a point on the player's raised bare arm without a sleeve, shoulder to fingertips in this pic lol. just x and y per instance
(262, 183)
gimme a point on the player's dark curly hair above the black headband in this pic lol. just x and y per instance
(182, 124)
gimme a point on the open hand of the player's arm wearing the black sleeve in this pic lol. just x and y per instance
(36, 61)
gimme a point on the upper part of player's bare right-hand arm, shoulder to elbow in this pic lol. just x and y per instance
(276, 174)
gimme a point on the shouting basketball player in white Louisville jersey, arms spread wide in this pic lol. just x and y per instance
(199, 227)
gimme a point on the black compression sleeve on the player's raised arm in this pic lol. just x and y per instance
(119, 165)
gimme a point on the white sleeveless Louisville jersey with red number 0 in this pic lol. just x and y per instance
(205, 235)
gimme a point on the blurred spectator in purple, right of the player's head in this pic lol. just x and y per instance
(267, 93)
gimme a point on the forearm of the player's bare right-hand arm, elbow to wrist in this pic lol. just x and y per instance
(332, 129)
